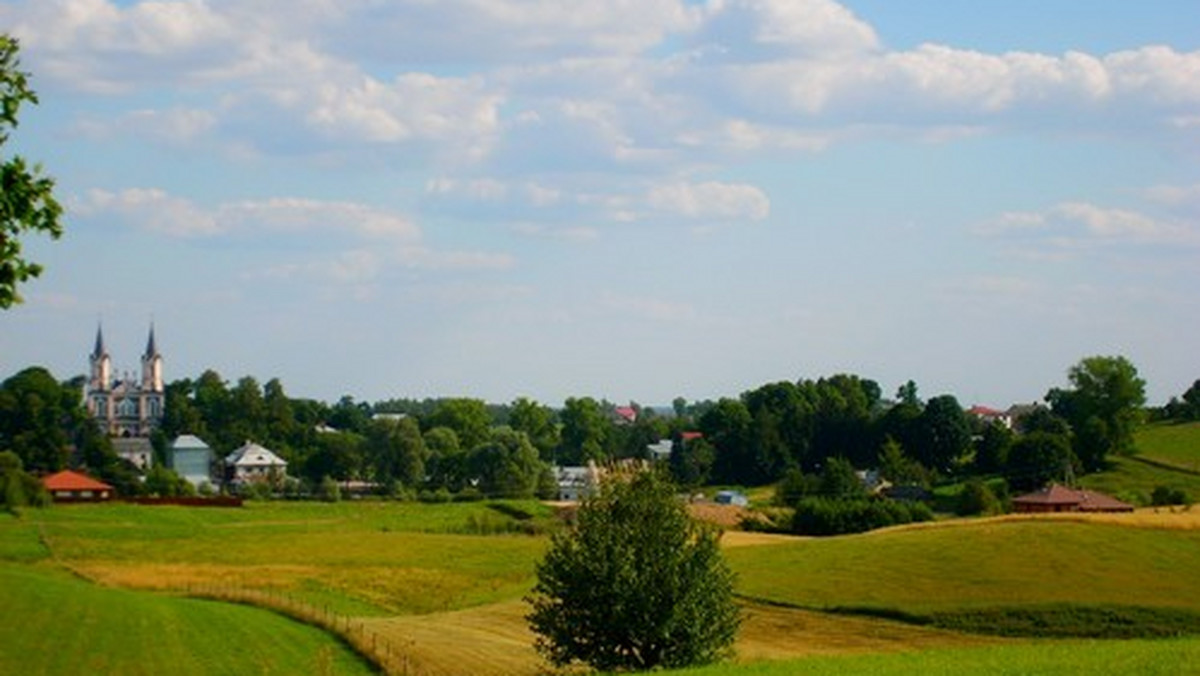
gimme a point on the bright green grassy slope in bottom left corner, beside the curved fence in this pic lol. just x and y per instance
(59, 625)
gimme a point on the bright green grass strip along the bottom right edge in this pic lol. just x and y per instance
(1143, 657)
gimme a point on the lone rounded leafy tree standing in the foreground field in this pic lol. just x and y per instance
(635, 585)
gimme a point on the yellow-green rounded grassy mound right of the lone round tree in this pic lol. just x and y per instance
(980, 564)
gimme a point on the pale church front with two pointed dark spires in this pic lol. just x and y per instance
(125, 406)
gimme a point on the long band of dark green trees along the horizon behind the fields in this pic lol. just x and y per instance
(765, 435)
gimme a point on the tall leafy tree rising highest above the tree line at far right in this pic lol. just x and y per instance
(1105, 408)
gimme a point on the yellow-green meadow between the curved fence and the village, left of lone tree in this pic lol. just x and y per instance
(357, 559)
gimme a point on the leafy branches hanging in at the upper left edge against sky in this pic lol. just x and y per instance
(27, 196)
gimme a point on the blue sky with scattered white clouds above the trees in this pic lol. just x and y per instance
(631, 200)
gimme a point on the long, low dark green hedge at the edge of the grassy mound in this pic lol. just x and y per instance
(832, 517)
